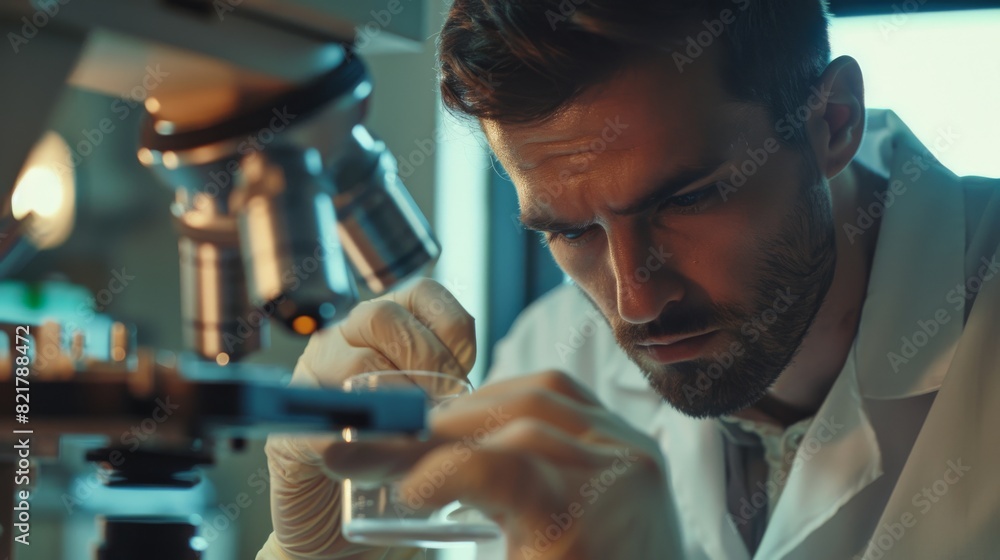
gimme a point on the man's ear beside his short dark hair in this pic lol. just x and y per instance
(838, 118)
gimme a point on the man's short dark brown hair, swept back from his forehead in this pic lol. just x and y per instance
(519, 61)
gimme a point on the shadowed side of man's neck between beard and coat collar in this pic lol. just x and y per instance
(803, 386)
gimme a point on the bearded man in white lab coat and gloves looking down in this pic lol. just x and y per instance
(785, 337)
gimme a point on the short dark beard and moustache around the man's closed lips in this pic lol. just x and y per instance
(761, 336)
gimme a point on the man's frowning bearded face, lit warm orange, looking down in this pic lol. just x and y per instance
(706, 244)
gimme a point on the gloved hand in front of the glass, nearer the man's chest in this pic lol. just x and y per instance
(565, 477)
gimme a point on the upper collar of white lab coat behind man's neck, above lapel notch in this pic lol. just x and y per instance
(910, 326)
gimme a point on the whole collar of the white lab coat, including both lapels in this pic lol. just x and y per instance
(915, 267)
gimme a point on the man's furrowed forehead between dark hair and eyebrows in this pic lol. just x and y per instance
(649, 108)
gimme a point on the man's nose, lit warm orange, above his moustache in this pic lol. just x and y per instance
(646, 282)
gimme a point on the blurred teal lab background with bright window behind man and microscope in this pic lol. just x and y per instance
(937, 64)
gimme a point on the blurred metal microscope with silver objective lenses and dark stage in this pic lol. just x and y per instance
(282, 199)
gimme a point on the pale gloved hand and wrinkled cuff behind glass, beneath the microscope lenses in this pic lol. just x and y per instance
(421, 327)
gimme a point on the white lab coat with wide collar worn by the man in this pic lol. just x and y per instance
(860, 474)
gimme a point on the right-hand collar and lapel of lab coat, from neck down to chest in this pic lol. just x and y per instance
(919, 257)
